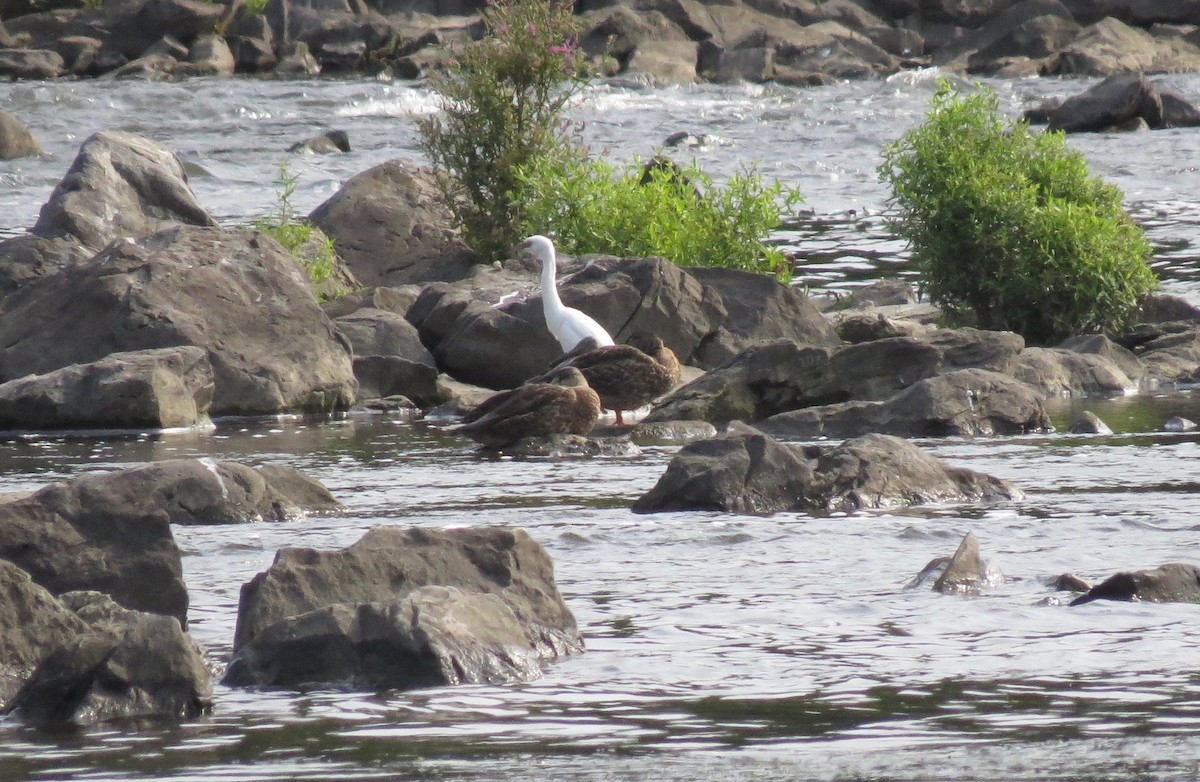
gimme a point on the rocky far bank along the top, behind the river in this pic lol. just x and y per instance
(800, 43)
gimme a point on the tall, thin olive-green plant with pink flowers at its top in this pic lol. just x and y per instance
(501, 109)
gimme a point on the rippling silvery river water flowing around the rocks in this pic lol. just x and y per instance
(719, 647)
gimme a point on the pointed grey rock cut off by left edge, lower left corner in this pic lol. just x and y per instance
(33, 624)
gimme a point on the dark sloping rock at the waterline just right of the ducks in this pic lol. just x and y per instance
(763, 382)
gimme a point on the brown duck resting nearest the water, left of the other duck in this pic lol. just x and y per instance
(556, 404)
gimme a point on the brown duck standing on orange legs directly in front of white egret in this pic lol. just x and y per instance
(629, 376)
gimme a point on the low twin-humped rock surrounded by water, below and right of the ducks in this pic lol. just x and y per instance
(755, 474)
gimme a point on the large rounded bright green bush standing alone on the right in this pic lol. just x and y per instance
(1011, 225)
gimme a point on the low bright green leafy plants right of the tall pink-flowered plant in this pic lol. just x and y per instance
(655, 210)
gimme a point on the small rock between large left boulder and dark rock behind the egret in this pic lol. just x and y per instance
(389, 358)
